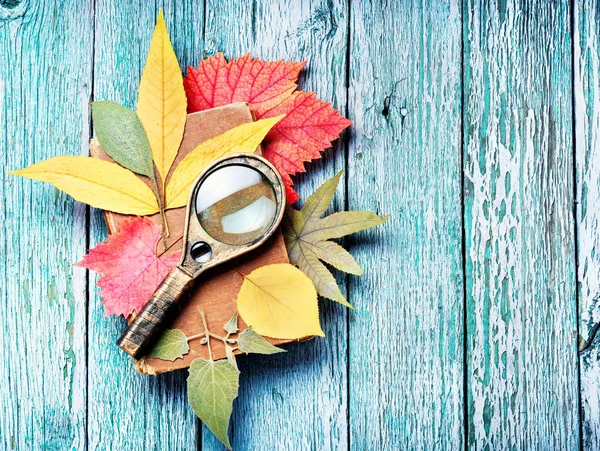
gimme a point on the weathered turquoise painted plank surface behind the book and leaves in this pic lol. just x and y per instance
(475, 125)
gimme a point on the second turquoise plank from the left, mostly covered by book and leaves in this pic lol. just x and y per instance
(128, 410)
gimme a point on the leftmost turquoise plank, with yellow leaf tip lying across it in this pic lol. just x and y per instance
(45, 83)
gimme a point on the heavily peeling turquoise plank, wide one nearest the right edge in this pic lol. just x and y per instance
(520, 250)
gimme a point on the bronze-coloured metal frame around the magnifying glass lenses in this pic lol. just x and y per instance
(229, 251)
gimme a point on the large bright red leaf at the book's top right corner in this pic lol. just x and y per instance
(309, 127)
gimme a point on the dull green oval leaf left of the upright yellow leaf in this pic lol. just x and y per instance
(122, 137)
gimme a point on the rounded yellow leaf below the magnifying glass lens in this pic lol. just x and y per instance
(280, 301)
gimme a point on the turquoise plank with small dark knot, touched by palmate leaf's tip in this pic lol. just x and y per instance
(406, 346)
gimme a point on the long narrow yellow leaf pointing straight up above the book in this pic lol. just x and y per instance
(162, 102)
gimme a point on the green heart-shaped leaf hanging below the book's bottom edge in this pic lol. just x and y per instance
(212, 387)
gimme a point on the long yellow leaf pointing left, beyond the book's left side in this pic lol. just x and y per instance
(97, 183)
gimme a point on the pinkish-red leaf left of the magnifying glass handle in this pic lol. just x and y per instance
(130, 268)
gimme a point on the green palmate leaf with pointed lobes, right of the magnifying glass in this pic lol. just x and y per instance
(306, 235)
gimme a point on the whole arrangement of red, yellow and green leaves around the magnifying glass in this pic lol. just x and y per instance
(293, 127)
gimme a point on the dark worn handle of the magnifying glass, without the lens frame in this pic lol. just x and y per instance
(145, 327)
